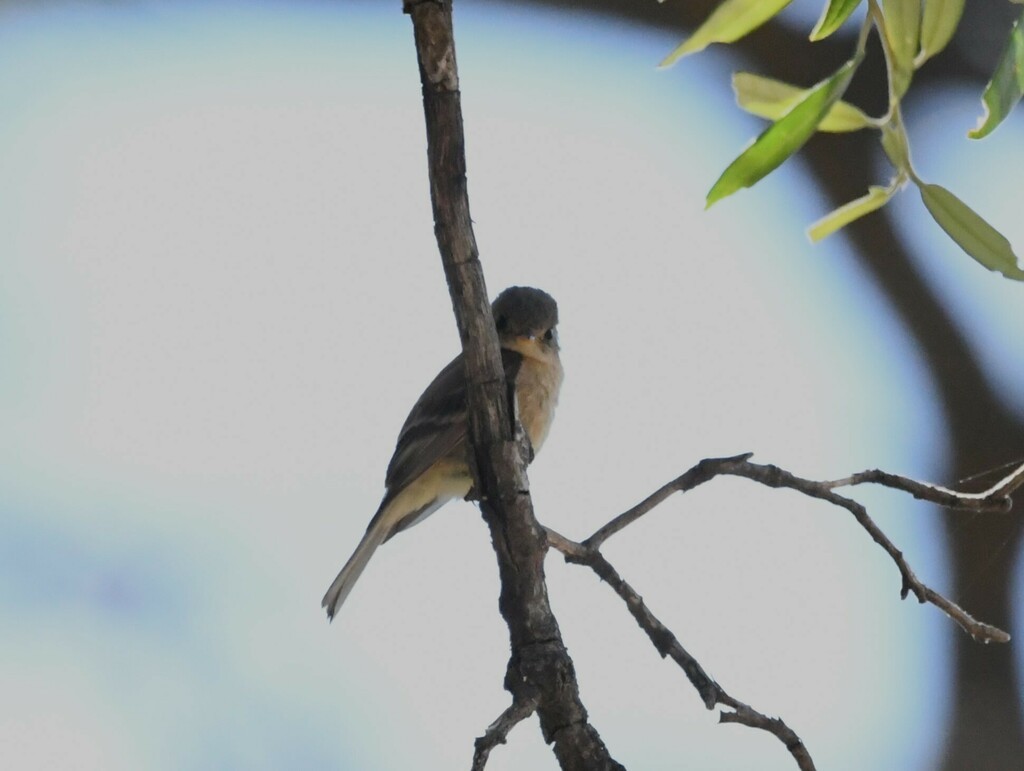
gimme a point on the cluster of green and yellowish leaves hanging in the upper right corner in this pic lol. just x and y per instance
(911, 33)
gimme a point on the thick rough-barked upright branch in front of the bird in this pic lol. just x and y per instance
(540, 668)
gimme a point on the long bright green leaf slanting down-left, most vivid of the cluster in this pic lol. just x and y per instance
(785, 137)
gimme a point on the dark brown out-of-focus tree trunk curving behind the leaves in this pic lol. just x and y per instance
(987, 726)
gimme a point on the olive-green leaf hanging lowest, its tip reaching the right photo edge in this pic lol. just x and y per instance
(974, 235)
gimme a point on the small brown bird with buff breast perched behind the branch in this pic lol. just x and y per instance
(431, 465)
